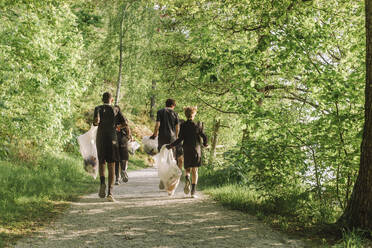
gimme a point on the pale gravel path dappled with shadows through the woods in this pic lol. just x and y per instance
(145, 217)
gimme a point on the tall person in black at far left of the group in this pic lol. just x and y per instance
(107, 120)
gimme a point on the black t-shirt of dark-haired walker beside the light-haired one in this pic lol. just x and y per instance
(168, 121)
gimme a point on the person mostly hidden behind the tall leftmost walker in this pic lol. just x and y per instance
(124, 135)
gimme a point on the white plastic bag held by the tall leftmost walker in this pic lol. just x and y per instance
(88, 150)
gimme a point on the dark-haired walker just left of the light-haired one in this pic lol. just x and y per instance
(166, 127)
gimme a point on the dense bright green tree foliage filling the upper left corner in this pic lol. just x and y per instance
(43, 71)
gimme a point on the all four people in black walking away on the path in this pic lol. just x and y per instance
(185, 138)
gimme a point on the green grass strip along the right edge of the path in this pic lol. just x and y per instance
(297, 222)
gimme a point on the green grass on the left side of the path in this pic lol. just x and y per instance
(34, 193)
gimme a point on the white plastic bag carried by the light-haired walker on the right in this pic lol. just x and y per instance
(168, 170)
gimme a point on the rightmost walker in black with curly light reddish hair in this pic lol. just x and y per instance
(191, 135)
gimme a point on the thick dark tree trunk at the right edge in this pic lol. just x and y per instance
(358, 213)
